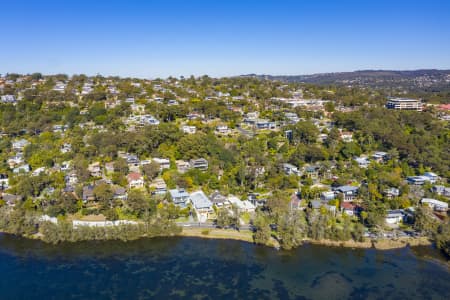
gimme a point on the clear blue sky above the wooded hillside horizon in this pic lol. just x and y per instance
(182, 37)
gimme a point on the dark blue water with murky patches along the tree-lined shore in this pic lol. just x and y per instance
(189, 268)
